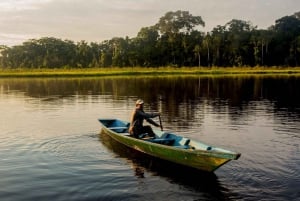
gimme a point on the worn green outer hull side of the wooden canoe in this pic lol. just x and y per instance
(205, 160)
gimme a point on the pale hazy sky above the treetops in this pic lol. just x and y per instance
(99, 20)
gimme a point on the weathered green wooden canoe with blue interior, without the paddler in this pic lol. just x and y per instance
(171, 147)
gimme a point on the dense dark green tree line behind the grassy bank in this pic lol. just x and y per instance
(175, 40)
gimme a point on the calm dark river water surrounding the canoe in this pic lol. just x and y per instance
(51, 147)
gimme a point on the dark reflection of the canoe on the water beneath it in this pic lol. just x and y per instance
(192, 178)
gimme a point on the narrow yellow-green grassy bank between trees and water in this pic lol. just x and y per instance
(90, 72)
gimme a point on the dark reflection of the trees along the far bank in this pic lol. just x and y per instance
(173, 96)
